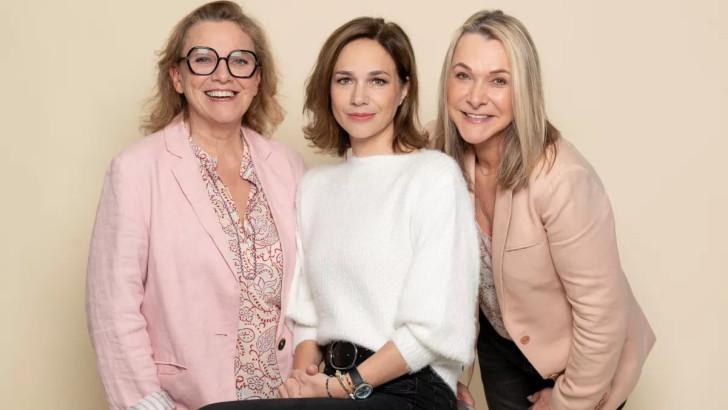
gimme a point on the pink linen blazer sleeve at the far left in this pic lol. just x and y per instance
(116, 275)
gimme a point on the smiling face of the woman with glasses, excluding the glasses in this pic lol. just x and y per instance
(218, 99)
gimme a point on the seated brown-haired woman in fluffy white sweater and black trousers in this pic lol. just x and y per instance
(388, 270)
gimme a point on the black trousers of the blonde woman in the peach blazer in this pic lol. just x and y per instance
(508, 377)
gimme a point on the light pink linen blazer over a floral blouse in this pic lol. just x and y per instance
(162, 299)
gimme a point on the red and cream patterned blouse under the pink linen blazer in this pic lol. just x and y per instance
(258, 263)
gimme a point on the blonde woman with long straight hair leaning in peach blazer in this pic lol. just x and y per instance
(559, 326)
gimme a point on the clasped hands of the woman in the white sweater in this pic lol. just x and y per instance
(310, 383)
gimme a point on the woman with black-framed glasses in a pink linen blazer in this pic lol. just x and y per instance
(193, 248)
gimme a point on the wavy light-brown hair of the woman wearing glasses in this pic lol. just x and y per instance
(264, 113)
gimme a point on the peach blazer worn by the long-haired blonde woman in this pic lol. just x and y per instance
(564, 297)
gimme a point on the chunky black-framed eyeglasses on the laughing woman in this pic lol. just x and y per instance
(204, 61)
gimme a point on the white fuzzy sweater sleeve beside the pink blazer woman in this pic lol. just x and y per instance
(301, 312)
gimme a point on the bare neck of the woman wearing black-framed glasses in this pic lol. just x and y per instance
(216, 139)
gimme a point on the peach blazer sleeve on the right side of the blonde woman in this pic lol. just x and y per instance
(579, 223)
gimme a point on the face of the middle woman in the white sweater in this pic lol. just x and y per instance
(366, 92)
